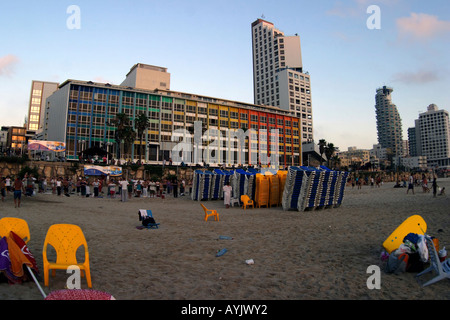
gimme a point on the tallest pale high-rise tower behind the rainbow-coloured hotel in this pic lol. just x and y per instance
(278, 76)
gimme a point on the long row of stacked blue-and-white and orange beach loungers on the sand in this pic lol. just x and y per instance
(299, 188)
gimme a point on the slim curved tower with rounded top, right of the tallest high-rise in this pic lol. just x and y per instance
(389, 124)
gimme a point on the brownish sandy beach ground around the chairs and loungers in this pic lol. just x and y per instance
(320, 254)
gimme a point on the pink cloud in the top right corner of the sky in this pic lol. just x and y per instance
(422, 26)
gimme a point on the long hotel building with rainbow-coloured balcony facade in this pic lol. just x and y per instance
(80, 113)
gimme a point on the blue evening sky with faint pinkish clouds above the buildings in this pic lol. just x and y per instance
(348, 48)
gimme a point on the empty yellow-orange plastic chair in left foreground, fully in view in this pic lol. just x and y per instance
(65, 239)
